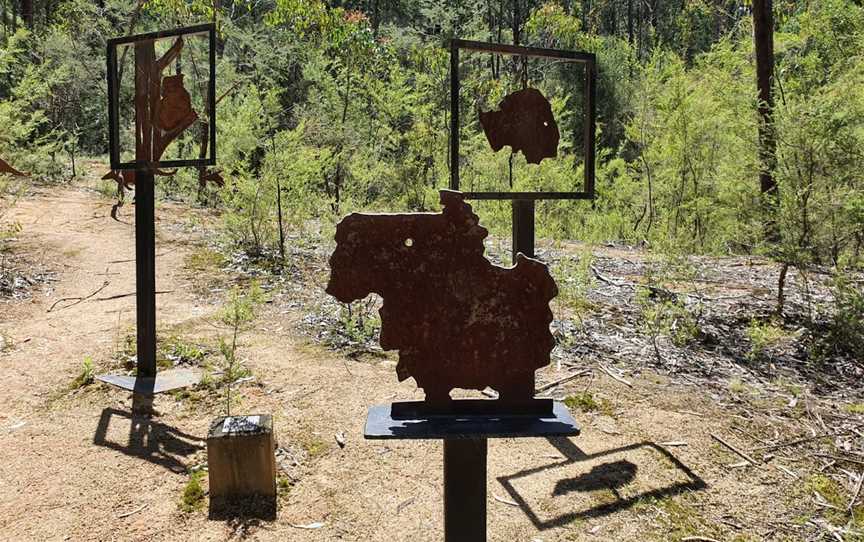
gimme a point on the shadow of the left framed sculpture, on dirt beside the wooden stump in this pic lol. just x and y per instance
(149, 440)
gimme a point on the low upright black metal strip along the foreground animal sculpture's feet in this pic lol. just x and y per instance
(471, 407)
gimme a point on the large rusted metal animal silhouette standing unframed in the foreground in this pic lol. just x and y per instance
(457, 320)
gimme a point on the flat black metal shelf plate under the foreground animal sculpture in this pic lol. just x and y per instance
(381, 424)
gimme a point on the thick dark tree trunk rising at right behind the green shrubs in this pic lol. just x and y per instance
(763, 39)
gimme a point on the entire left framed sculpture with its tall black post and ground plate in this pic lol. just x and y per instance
(163, 111)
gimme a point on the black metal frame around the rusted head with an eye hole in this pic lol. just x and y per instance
(589, 60)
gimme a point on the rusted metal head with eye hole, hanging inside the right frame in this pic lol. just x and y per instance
(525, 122)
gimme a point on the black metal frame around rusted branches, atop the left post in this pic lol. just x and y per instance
(114, 106)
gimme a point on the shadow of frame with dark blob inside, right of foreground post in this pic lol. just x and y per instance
(608, 476)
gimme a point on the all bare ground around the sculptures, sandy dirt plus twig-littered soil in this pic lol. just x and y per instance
(75, 465)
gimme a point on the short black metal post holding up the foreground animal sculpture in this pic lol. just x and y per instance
(465, 490)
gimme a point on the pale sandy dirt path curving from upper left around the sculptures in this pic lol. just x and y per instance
(74, 466)
